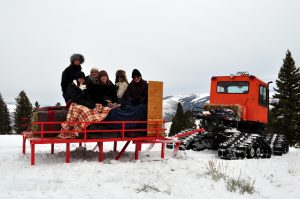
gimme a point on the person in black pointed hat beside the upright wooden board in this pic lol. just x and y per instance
(137, 90)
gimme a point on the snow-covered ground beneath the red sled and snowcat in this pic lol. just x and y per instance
(184, 176)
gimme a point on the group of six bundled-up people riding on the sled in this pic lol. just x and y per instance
(97, 88)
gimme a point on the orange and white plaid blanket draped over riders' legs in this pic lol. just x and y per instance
(78, 113)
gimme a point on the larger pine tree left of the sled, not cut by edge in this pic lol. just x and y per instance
(23, 110)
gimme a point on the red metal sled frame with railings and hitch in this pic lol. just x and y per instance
(38, 137)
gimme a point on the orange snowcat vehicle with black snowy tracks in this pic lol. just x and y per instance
(235, 120)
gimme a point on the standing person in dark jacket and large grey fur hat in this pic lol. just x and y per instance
(70, 72)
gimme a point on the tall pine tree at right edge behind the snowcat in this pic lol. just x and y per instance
(285, 113)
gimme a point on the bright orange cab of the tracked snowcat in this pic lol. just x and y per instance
(247, 93)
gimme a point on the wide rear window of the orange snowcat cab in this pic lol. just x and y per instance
(232, 87)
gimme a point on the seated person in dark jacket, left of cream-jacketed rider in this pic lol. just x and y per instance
(107, 93)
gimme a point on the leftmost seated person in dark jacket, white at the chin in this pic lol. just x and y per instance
(78, 92)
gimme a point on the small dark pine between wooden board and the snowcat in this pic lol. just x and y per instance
(178, 122)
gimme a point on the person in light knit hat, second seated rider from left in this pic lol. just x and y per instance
(93, 82)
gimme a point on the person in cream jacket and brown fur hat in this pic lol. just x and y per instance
(121, 83)
